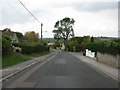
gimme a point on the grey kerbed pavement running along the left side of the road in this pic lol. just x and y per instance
(8, 72)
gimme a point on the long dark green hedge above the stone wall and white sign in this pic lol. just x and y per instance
(112, 48)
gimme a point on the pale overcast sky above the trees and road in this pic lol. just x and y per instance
(92, 17)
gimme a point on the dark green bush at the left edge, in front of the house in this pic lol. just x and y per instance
(6, 45)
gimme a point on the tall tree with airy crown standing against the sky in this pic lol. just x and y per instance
(64, 30)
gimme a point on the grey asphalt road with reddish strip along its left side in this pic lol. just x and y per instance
(60, 71)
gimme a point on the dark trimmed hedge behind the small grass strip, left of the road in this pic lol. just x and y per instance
(28, 49)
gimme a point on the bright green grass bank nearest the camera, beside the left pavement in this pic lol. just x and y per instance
(13, 58)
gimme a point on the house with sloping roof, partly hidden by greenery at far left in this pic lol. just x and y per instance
(12, 35)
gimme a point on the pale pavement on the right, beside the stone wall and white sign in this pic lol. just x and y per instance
(111, 71)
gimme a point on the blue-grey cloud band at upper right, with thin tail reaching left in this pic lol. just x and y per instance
(90, 6)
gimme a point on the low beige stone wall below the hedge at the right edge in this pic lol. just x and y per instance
(109, 59)
